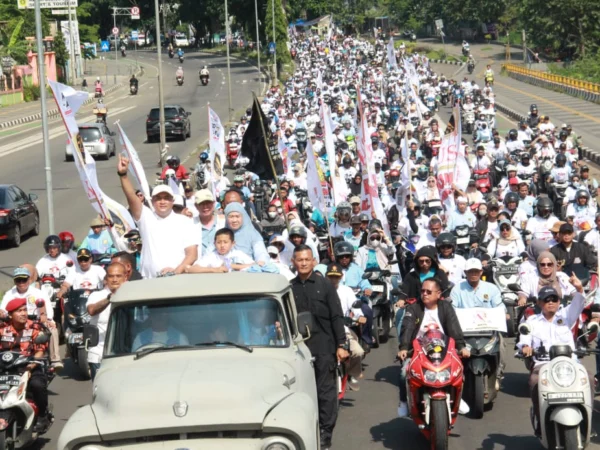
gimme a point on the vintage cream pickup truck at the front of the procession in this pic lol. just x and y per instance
(234, 371)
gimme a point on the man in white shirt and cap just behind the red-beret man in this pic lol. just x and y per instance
(24, 288)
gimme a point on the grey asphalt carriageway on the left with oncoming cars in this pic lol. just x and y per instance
(21, 150)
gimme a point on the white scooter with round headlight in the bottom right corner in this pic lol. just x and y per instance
(565, 396)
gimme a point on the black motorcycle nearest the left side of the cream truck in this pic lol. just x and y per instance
(76, 317)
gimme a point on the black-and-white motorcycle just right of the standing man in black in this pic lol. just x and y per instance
(381, 305)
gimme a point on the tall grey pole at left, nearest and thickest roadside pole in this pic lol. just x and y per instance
(46, 139)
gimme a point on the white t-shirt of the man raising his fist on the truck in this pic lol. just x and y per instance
(165, 241)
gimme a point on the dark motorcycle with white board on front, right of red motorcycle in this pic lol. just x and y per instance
(483, 341)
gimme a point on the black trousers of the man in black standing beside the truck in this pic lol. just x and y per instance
(325, 375)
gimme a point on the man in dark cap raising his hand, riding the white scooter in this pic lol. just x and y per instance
(550, 327)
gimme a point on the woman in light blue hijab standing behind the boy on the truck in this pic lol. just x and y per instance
(247, 239)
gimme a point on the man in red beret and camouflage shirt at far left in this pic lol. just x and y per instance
(17, 333)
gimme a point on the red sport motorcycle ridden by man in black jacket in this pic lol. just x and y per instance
(434, 379)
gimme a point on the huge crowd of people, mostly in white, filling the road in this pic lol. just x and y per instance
(529, 196)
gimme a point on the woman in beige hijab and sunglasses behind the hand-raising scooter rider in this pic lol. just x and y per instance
(546, 274)
